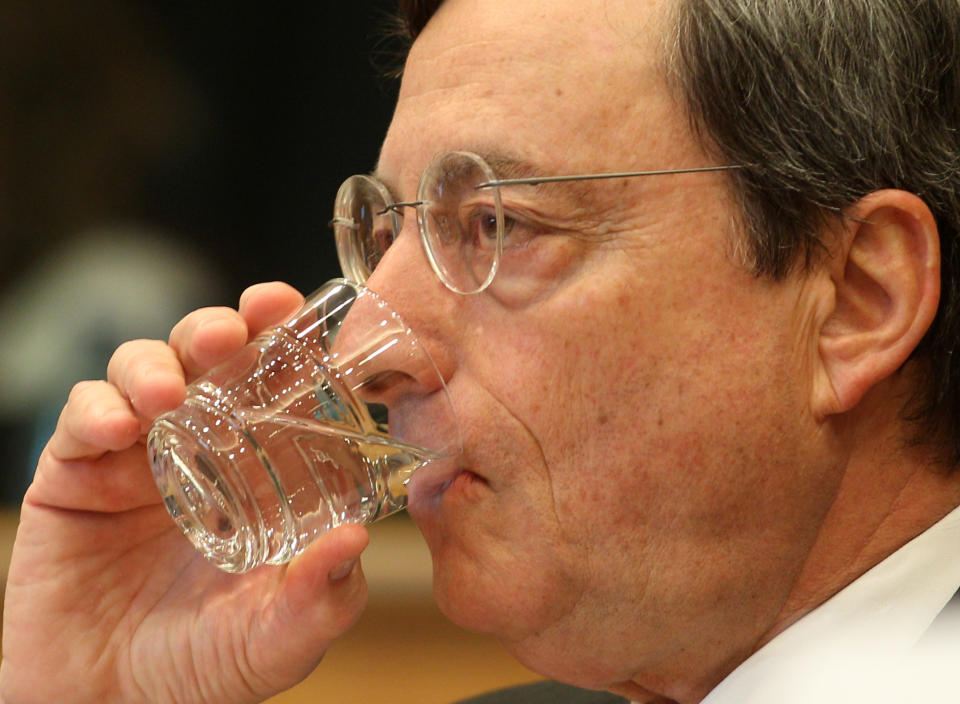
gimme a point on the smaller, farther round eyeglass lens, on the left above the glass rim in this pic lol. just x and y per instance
(362, 230)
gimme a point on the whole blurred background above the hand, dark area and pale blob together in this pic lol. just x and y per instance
(156, 156)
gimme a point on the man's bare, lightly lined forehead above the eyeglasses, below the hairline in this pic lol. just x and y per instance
(564, 86)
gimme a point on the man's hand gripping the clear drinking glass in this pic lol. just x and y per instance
(108, 602)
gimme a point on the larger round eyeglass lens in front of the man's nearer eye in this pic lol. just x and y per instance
(461, 223)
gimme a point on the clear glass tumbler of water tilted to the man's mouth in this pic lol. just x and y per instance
(317, 422)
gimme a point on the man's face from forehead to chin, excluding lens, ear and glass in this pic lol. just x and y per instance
(640, 478)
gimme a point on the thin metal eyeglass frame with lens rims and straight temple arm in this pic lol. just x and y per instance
(396, 208)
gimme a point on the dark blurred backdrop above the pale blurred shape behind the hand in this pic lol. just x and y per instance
(228, 124)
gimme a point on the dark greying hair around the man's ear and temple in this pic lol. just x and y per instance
(827, 101)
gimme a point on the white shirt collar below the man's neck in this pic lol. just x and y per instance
(844, 650)
